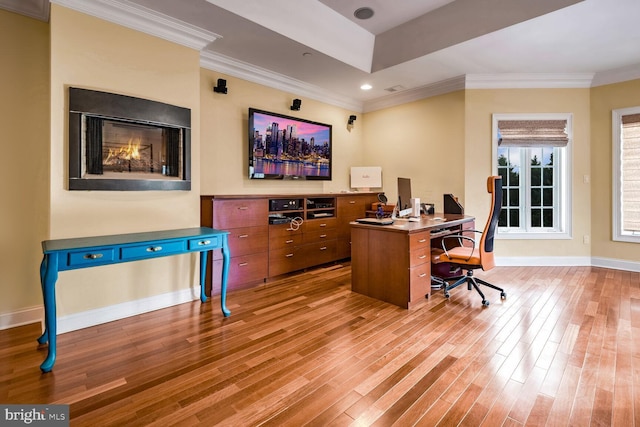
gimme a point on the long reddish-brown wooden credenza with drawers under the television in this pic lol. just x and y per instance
(319, 233)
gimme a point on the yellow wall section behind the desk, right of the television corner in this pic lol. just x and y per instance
(421, 140)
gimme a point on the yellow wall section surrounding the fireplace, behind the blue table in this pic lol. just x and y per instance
(91, 53)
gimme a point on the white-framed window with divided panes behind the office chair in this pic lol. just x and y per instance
(531, 152)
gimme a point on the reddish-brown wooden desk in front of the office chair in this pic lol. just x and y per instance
(392, 263)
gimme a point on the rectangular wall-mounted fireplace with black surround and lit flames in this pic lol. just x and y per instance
(119, 142)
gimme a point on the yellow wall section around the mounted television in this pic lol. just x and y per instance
(225, 138)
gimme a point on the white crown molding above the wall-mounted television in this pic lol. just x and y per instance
(233, 67)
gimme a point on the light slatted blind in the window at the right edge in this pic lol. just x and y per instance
(631, 172)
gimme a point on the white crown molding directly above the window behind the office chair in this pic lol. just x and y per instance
(529, 81)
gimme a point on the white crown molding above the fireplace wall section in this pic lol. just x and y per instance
(145, 20)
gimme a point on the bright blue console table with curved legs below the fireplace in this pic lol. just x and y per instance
(71, 254)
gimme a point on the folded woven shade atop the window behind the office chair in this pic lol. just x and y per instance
(532, 133)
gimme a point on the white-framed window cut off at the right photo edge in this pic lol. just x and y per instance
(626, 175)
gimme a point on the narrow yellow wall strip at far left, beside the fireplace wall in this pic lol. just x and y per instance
(24, 120)
